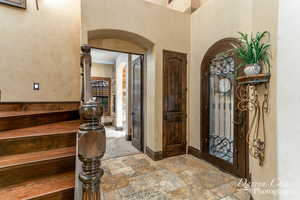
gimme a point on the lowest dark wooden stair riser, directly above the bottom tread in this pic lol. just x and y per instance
(20, 173)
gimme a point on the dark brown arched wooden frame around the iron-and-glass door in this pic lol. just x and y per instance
(237, 168)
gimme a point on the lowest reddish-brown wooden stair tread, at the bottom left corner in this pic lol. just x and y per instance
(39, 187)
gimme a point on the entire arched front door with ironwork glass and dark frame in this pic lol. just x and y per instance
(223, 126)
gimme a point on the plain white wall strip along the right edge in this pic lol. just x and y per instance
(288, 99)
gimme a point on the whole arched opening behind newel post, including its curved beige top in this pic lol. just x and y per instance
(125, 53)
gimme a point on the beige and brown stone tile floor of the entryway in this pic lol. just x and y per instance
(137, 177)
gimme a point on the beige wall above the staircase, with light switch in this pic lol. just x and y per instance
(40, 46)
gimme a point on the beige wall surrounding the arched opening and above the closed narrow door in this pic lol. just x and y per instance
(153, 23)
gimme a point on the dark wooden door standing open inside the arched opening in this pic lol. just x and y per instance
(137, 103)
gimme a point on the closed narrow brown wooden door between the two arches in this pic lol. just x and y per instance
(174, 103)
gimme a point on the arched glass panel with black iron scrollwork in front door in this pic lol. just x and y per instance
(221, 107)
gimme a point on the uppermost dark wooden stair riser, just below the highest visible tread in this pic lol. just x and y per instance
(24, 121)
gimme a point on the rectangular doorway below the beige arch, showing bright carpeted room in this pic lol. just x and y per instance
(117, 85)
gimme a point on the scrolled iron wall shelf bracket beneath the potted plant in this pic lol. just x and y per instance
(248, 100)
